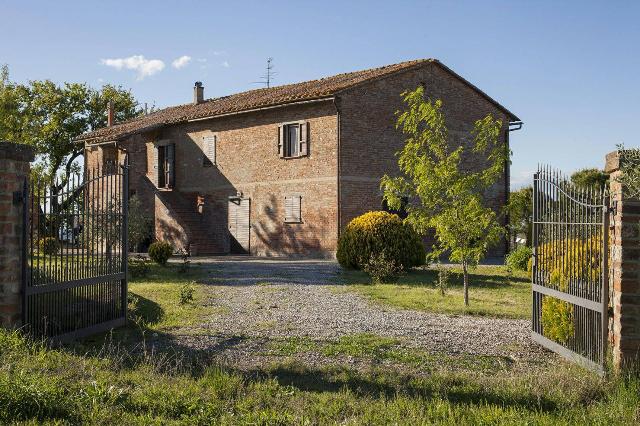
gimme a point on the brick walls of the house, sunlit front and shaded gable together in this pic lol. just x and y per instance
(248, 163)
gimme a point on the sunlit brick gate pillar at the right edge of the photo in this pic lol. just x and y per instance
(625, 269)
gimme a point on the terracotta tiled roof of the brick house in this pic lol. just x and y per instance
(260, 98)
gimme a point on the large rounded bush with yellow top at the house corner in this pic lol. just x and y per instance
(375, 233)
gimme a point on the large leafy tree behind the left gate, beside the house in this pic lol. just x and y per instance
(49, 117)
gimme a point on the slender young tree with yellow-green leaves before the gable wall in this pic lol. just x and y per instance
(443, 196)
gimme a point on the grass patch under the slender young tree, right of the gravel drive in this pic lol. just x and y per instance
(492, 292)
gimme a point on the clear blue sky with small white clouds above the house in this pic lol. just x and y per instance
(569, 70)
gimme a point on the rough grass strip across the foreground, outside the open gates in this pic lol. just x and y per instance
(41, 385)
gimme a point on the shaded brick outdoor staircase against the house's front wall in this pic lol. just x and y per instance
(183, 208)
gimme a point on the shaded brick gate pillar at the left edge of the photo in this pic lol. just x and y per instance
(14, 167)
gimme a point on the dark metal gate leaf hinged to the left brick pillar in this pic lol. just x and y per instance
(75, 254)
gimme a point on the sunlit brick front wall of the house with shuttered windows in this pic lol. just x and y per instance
(247, 163)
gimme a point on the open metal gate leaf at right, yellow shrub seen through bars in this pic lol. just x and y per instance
(570, 268)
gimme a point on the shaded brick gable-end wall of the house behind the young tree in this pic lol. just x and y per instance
(369, 139)
